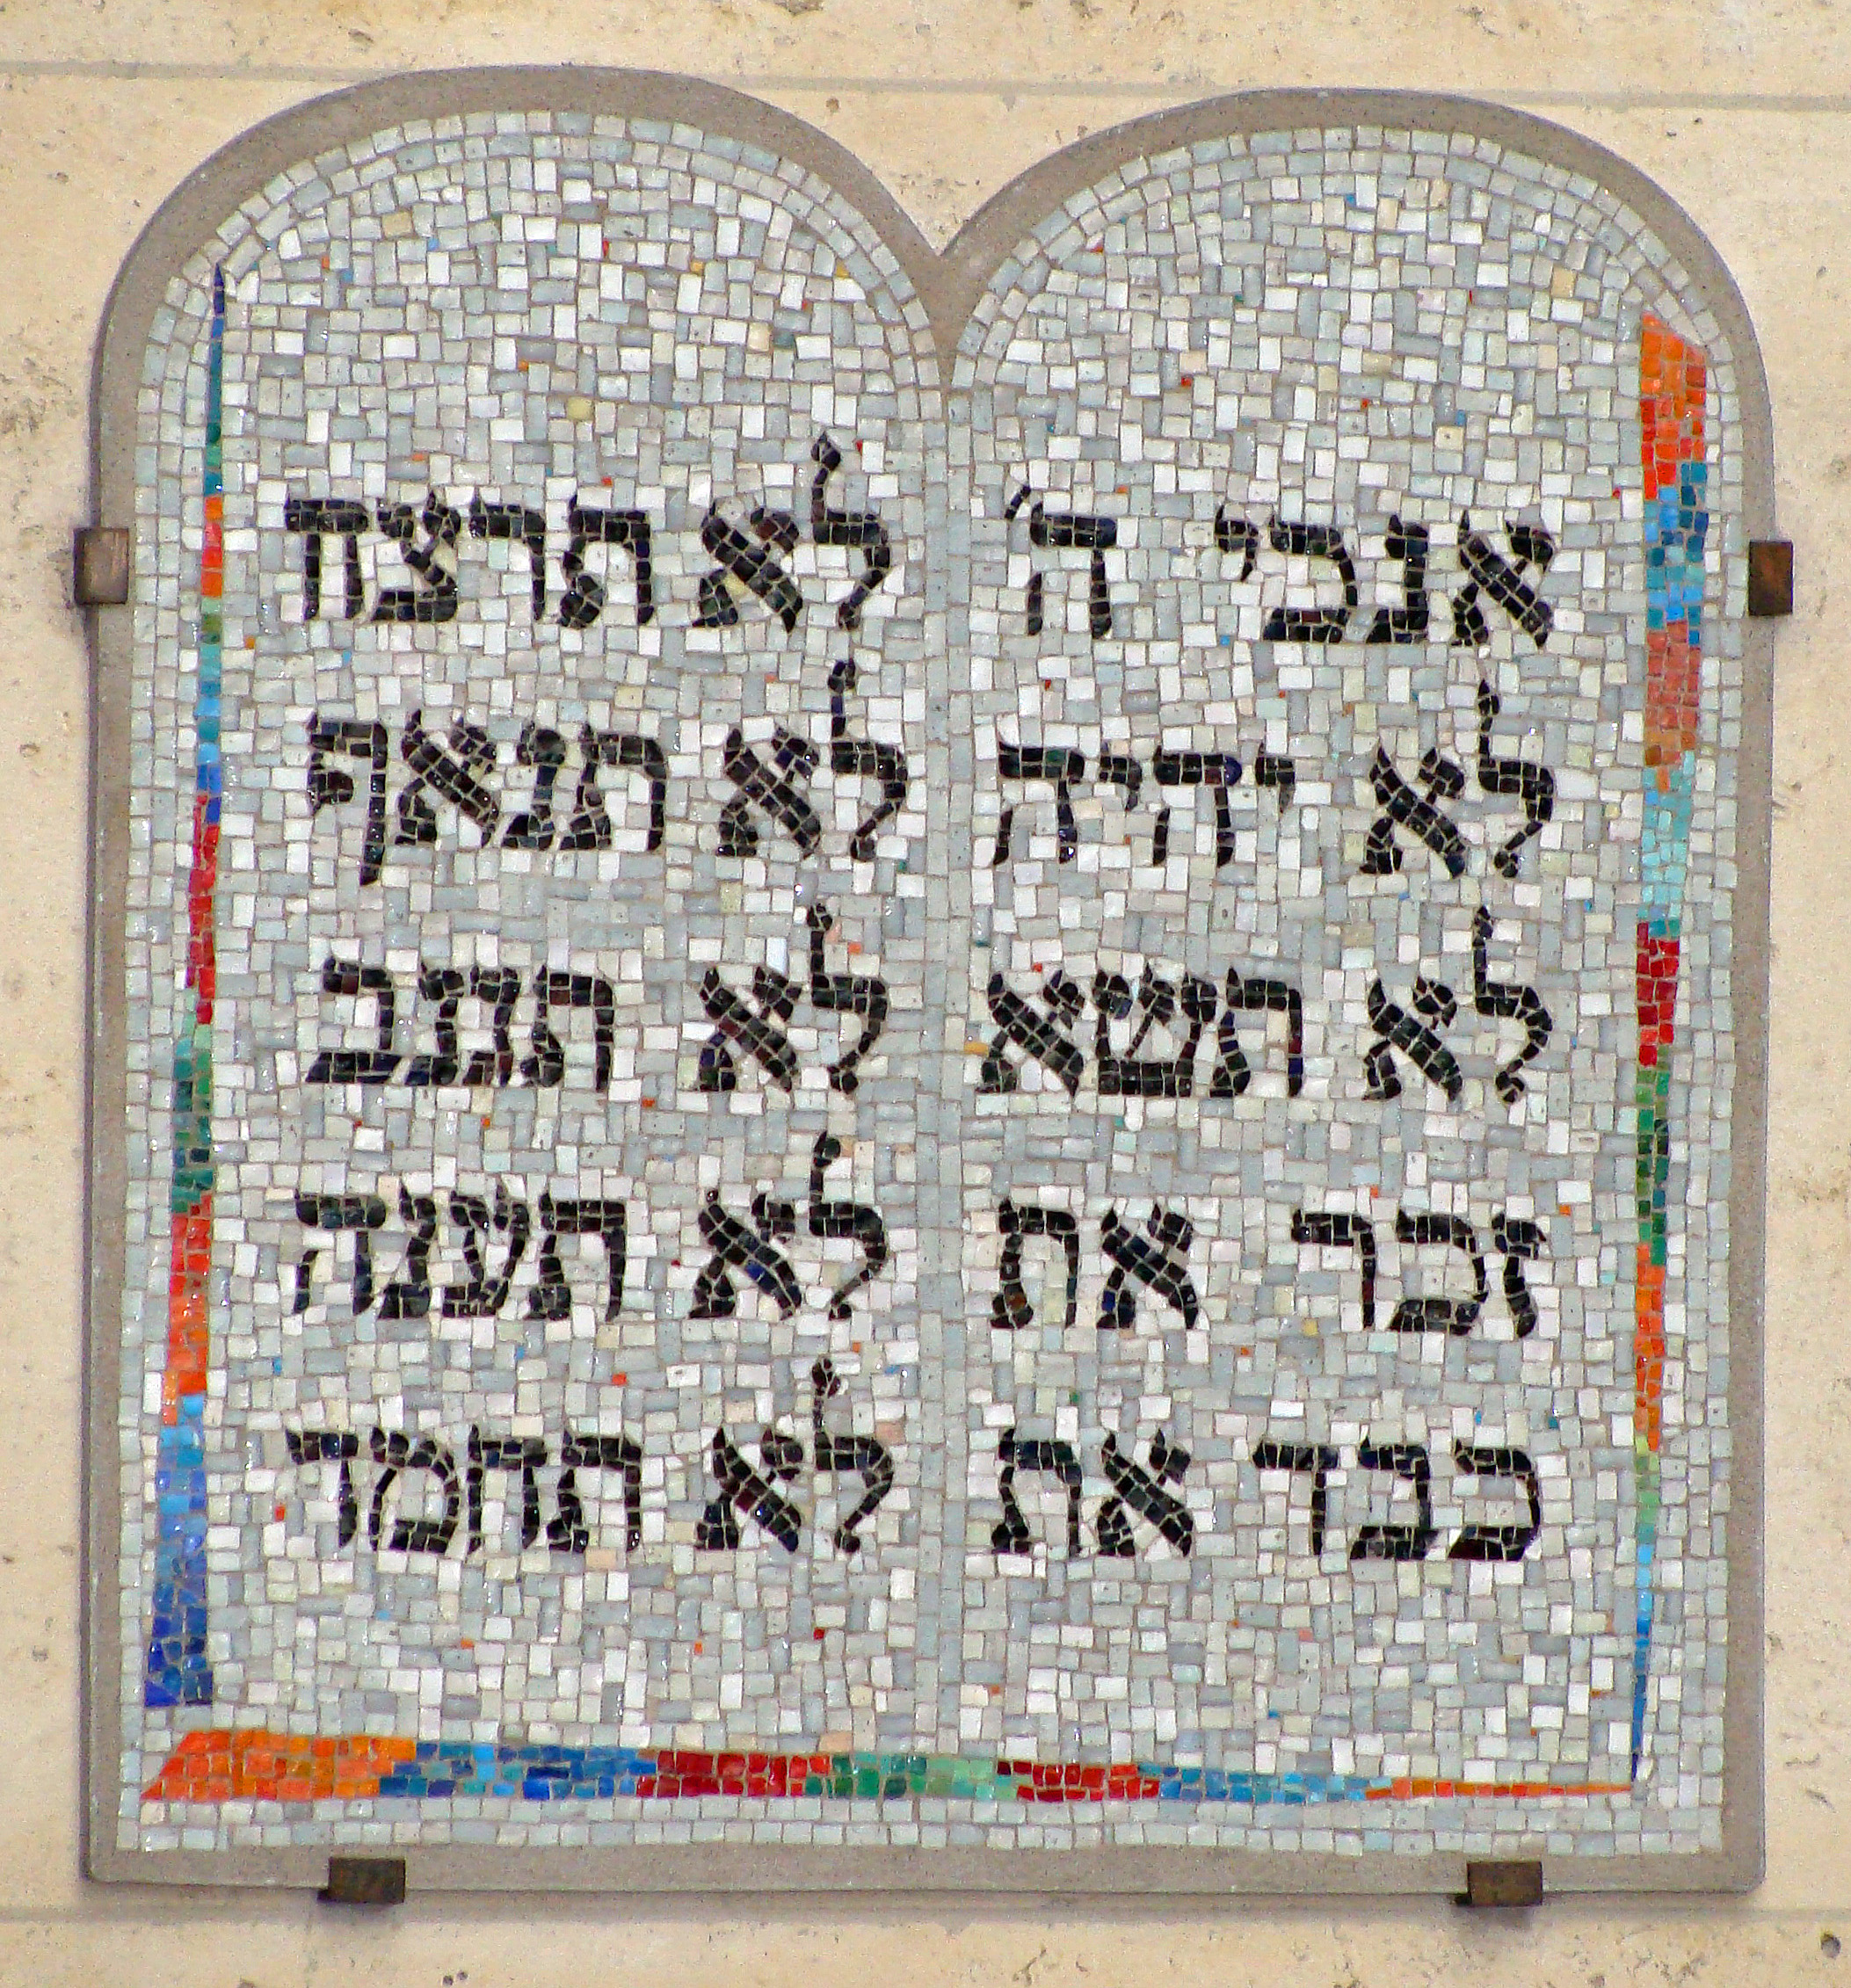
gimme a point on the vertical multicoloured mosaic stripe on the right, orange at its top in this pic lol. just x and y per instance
(1671, 413)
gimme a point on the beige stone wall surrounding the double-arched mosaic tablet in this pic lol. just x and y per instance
(1741, 108)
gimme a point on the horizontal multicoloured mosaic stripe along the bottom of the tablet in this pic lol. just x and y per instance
(248, 1764)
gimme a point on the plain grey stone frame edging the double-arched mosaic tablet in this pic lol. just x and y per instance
(949, 285)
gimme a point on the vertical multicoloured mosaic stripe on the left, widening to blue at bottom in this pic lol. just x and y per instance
(178, 1667)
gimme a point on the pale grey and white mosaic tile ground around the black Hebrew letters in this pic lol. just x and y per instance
(1339, 329)
